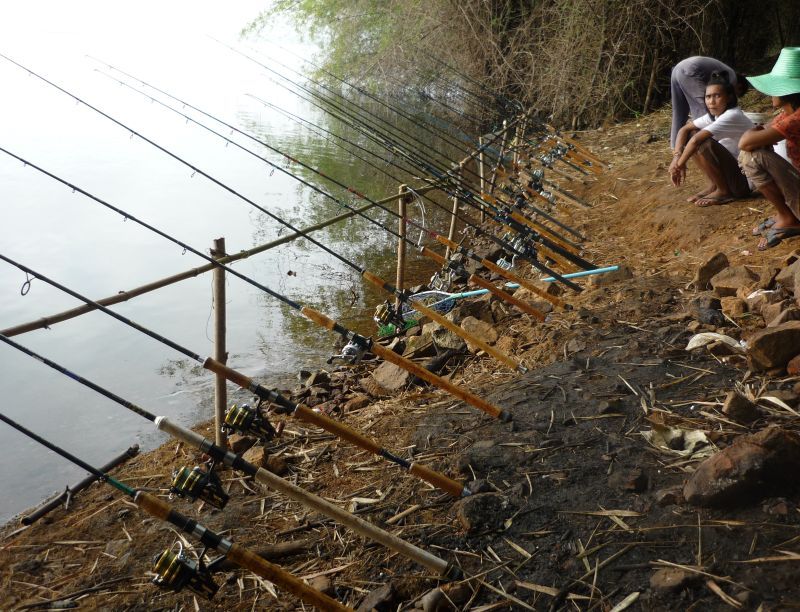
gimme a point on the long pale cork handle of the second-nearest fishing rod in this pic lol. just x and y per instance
(309, 500)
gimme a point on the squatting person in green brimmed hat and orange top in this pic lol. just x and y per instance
(777, 179)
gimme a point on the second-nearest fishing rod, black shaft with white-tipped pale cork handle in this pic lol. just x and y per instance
(223, 456)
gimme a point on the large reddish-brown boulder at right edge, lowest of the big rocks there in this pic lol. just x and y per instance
(753, 467)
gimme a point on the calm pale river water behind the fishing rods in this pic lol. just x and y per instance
(66, 236)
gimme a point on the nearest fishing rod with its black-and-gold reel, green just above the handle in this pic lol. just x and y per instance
(177, 571)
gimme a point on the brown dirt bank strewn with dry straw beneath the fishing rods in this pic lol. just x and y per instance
(577, 509)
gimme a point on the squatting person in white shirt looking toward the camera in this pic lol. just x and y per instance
(712, 140)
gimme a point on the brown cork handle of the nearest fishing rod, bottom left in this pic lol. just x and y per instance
(238, 554)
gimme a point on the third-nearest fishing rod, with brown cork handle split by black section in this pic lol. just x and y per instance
(284, 404)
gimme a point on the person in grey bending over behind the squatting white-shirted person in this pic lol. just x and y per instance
(688, 85)
